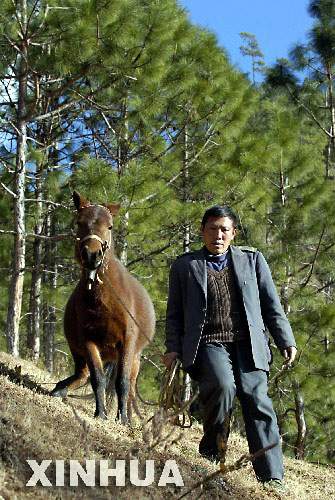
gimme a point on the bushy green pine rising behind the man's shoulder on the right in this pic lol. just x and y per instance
(285, 217)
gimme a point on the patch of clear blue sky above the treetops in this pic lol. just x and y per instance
(277, 24)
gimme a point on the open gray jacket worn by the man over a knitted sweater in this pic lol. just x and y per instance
(186, 307)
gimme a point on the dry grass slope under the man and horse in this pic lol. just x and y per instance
(35, 426)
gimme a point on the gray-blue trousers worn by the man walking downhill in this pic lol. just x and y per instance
(224, 371)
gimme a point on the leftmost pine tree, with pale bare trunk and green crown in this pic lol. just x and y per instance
(35, 62)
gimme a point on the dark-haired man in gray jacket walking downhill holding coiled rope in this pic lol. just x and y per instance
(221, 301)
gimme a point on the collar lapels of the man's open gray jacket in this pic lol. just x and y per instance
(199, 268)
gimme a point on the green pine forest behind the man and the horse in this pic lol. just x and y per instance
(128, 101)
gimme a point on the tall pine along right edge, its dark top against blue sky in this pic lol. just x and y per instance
(314, 296)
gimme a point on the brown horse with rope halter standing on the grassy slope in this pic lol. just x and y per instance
(109, 317)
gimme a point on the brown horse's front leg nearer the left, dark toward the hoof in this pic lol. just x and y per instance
(98, 379)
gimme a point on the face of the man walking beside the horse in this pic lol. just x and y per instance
(217, 234)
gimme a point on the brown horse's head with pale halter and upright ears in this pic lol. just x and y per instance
(94, 233)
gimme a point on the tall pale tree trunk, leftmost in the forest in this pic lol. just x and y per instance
(18, 265)
